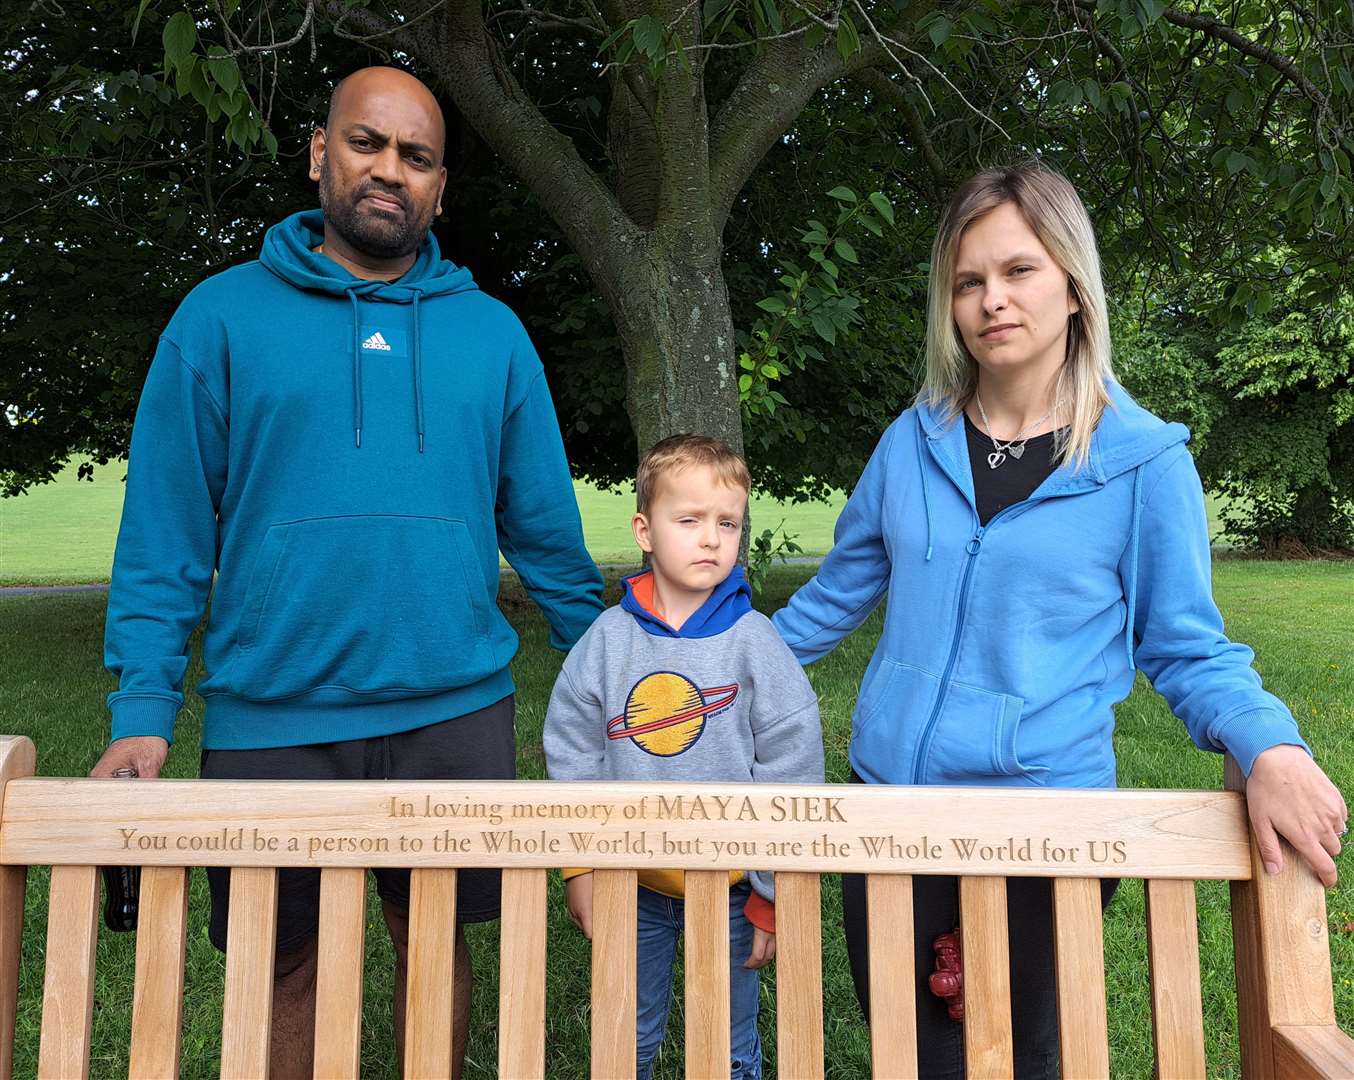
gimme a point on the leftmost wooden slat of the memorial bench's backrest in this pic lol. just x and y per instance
(68, 989)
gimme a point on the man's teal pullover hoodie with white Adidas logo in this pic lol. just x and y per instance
(349, 457)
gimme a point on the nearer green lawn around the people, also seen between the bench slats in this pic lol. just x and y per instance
(1296, 616)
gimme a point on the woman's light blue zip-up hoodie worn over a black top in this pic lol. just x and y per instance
(1007, 646)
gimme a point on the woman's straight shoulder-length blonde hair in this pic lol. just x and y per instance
(1054, 212)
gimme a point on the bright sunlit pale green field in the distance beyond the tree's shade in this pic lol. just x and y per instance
(64, 533)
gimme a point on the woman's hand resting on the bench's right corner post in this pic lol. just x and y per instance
(1290, 795)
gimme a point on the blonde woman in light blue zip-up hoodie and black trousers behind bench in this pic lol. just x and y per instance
(1041, 538)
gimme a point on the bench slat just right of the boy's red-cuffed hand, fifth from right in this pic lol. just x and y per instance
(800, 976)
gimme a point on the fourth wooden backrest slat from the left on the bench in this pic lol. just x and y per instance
(343, 929)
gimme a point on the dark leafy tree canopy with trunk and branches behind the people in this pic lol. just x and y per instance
(645, 181)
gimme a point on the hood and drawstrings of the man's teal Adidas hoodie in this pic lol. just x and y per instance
(289, 252)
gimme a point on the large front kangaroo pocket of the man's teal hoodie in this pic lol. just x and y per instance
(377, 606)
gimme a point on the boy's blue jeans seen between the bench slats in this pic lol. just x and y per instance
(661, 922)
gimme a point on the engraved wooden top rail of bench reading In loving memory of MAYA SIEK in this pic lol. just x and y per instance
(823, 829)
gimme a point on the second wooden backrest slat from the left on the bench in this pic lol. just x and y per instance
(158, 997)
